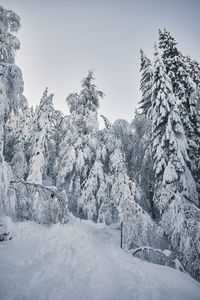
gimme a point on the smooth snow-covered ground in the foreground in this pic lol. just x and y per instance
(82, 260)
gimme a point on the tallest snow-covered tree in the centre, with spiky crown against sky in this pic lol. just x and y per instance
(78, 161)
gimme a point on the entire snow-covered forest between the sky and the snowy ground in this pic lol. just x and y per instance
(140, 180)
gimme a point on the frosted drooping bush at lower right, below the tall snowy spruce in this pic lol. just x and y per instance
(181, 223)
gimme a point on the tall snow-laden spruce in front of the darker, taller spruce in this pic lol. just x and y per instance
(169, 143)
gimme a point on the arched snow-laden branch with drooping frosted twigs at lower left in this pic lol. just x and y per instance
(30, 204)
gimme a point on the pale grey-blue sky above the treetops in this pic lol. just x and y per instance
(62, 39)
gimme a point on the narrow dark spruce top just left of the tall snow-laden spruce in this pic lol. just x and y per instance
(145, 83)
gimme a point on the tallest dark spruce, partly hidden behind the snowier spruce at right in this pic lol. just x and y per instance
(181, 74)
